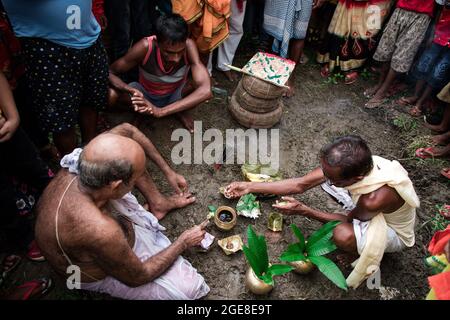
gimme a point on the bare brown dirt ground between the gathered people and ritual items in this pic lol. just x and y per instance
(318, 112)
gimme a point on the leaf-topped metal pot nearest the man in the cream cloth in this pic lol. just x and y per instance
(306, 255)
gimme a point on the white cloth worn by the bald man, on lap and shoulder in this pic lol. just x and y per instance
(180, 282)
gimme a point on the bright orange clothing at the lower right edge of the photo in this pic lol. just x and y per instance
(440, 282)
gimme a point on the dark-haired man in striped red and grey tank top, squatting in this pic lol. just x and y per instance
(164, 61)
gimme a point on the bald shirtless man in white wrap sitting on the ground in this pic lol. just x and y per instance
(88, 218)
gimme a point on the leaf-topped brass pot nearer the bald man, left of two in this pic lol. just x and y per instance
(259, 277)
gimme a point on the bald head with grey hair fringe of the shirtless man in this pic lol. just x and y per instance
(109, 158)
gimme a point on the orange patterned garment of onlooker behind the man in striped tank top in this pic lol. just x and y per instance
(207, 19)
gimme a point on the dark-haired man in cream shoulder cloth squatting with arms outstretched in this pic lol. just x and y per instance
(376, 185)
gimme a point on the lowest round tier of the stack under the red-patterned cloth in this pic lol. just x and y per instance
(254, 120)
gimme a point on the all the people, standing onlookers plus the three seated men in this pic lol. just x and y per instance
(64, 63)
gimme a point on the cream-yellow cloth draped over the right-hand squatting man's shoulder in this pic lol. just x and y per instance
(391, 173)
